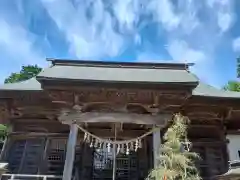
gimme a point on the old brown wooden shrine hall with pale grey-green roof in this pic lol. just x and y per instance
(84, 120)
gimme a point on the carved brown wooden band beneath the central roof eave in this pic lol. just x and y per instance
(120, 96)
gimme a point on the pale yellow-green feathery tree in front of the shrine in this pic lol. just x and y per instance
(175, 161)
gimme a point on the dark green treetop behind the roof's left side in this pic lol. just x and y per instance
(27, 72)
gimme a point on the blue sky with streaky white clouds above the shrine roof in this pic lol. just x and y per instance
(205, 32)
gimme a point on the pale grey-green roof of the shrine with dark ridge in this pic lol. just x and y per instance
(121, 72)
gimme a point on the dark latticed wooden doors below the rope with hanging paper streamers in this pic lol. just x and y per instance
(97, 164)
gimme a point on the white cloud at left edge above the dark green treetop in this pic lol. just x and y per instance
(16, 48)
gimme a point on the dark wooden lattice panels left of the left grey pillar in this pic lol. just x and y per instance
(37, 155)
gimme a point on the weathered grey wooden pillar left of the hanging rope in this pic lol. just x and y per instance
(70, 154)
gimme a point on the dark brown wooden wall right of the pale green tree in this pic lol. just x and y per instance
(210, 143)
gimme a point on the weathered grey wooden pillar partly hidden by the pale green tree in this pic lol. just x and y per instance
(156, 147)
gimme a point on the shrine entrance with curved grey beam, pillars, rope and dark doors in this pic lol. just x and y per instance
(113, 157)
